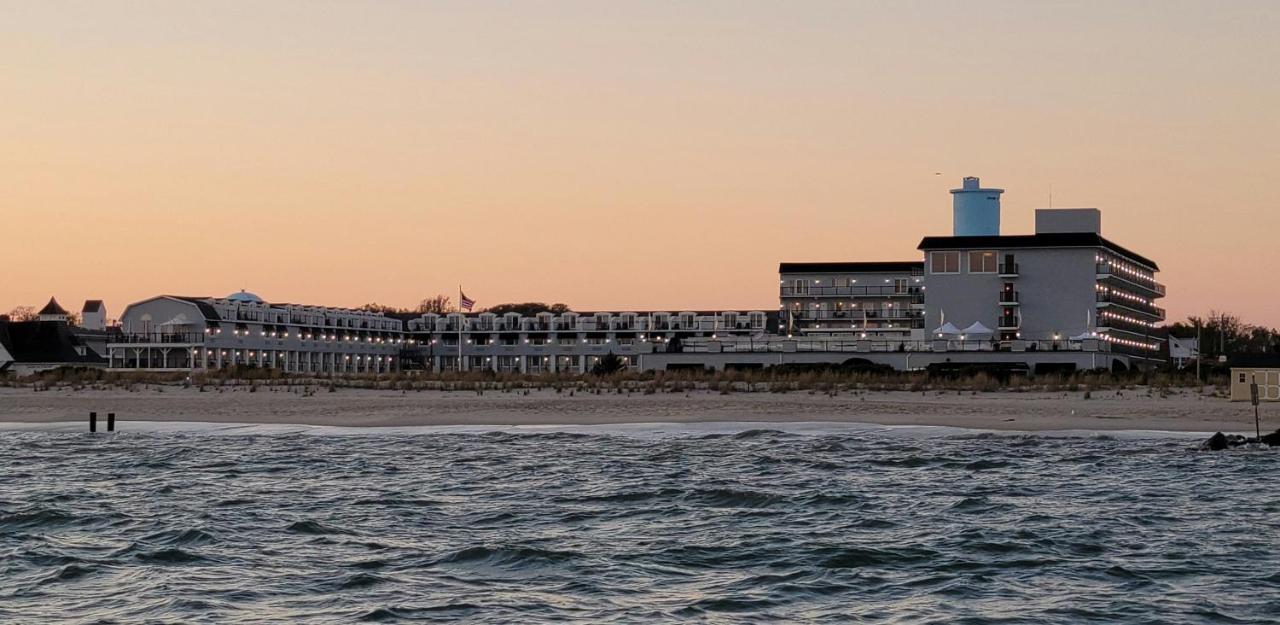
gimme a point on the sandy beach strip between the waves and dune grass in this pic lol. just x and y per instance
(1104, 410)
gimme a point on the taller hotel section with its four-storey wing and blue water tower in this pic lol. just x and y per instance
(1064, 289)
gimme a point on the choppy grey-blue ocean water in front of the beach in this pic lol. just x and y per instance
(634, 526)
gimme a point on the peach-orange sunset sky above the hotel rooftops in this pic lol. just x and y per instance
(618, 156)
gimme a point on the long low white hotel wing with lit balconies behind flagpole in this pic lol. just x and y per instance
(241, 330)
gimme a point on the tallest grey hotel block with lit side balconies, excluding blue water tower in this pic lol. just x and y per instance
(1064, 282)
